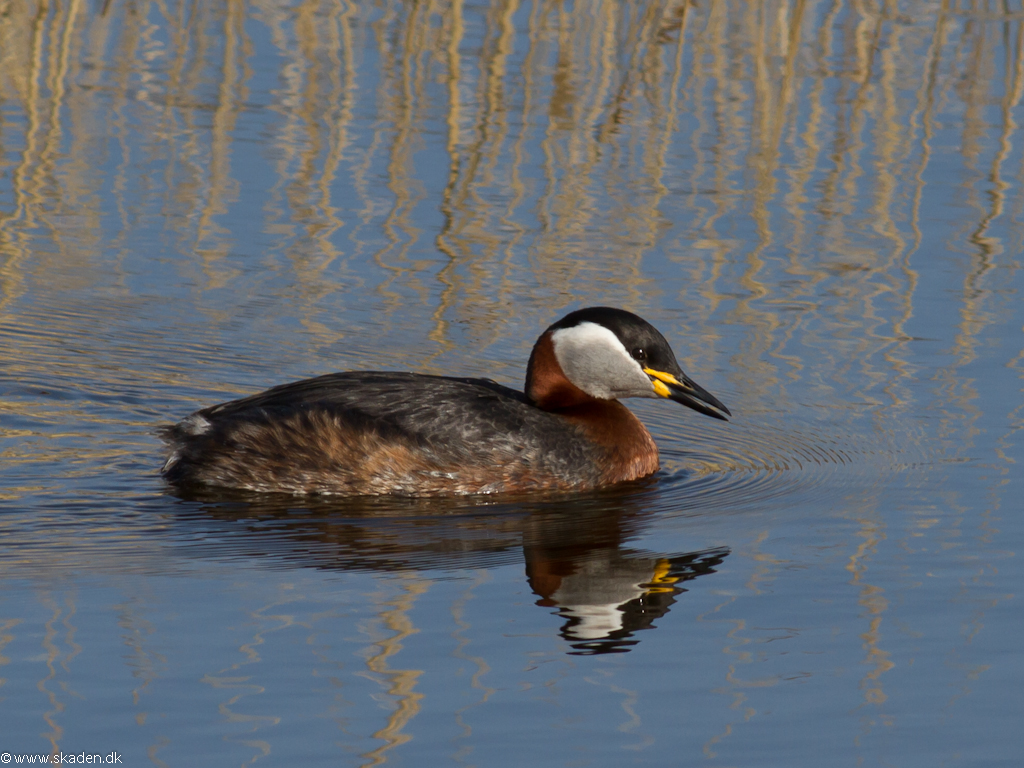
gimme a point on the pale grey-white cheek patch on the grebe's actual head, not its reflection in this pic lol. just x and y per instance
(594, 360)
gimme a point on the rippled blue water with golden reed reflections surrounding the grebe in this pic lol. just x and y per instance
(819, 204)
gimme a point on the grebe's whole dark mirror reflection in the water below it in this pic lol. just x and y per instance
(576, 558)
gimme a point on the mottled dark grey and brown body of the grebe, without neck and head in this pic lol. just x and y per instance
(386, 434)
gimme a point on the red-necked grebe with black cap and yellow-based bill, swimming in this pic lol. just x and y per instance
(386, 433)
